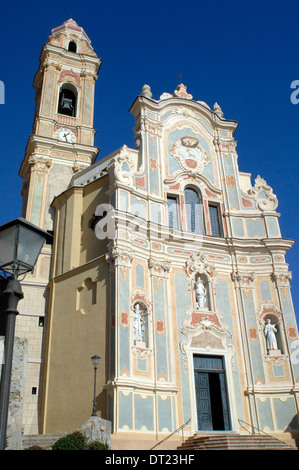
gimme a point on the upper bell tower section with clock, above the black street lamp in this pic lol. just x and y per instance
(62, 140)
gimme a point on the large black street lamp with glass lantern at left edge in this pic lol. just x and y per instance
(20, 246)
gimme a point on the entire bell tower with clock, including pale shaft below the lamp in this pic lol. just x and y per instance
(61, 144)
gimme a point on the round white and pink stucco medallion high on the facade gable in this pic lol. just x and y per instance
(190, 154)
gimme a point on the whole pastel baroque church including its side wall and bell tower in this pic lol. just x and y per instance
(167, 262)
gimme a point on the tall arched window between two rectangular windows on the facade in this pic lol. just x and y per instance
(194, 211)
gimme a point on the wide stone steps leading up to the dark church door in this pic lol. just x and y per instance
(234, 441)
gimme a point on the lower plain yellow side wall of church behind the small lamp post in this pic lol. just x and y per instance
(75, 336)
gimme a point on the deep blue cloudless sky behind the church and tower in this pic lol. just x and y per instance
(244, 55)
